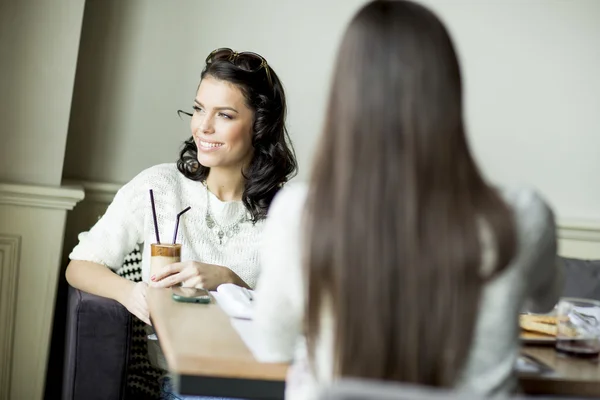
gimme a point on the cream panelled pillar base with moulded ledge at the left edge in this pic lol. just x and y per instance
(32, 223)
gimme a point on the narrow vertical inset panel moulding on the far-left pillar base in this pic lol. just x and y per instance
(10, 251)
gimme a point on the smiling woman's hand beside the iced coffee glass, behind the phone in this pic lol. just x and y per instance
(195, 274)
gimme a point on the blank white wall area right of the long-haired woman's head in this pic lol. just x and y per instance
(532, 72)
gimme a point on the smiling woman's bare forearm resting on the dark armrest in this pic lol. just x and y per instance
(98, 279)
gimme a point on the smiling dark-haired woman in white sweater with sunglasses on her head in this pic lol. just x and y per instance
(238, 157)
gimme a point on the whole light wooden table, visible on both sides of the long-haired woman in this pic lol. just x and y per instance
(207, 357)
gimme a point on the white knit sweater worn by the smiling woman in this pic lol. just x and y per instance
(128, 220)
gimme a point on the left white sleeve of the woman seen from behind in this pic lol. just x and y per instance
(279, 304)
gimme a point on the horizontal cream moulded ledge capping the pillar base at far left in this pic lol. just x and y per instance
(60, 198)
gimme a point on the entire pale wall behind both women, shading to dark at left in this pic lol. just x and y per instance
(531, 73)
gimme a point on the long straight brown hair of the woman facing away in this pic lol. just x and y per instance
(396, 205)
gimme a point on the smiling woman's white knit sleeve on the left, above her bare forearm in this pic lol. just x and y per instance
(118, 231)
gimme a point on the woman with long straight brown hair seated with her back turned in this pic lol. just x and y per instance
(399, 261)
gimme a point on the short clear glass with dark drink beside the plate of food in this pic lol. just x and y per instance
(578, 323)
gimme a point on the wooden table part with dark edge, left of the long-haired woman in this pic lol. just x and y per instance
(205, 354)
